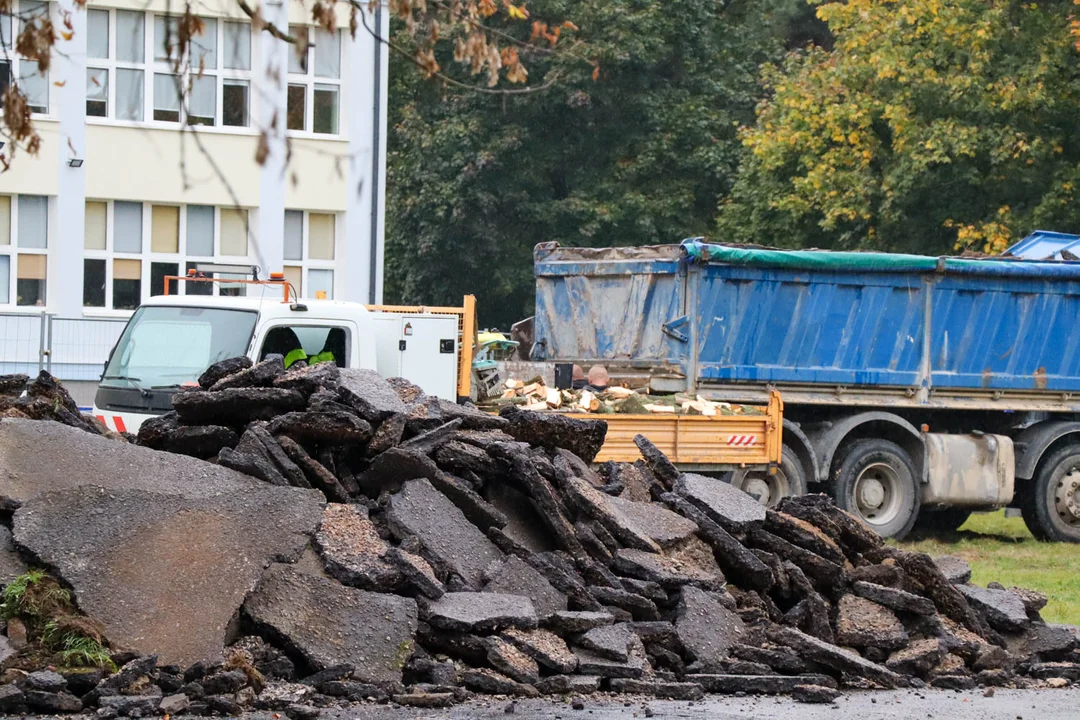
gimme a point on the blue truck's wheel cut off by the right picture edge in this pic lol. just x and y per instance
(1051, 505)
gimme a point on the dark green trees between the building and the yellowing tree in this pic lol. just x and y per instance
(631, 142)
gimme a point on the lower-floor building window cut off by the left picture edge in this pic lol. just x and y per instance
(24, 247)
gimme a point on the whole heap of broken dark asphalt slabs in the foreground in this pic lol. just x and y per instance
(300, 540)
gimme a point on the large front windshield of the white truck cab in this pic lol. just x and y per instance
(169, 347)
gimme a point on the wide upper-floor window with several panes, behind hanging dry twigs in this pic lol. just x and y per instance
(215, 87)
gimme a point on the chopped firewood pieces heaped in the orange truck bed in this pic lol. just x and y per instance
(536, 396)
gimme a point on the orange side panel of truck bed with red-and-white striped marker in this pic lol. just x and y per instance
(698, 442)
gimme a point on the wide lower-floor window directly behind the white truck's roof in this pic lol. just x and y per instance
(132, 248)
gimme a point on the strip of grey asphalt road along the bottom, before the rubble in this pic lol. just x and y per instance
(895, 705)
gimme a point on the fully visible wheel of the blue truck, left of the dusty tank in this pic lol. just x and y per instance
(876, 482)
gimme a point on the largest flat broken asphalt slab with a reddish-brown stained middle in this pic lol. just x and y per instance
(166, 575)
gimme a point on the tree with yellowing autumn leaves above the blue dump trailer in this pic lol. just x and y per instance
(931, 126)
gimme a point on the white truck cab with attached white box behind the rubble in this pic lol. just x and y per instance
(171, 341)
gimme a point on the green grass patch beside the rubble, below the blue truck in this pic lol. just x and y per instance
(1002, 550)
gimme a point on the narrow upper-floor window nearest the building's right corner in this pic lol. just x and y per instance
(315, 83)
